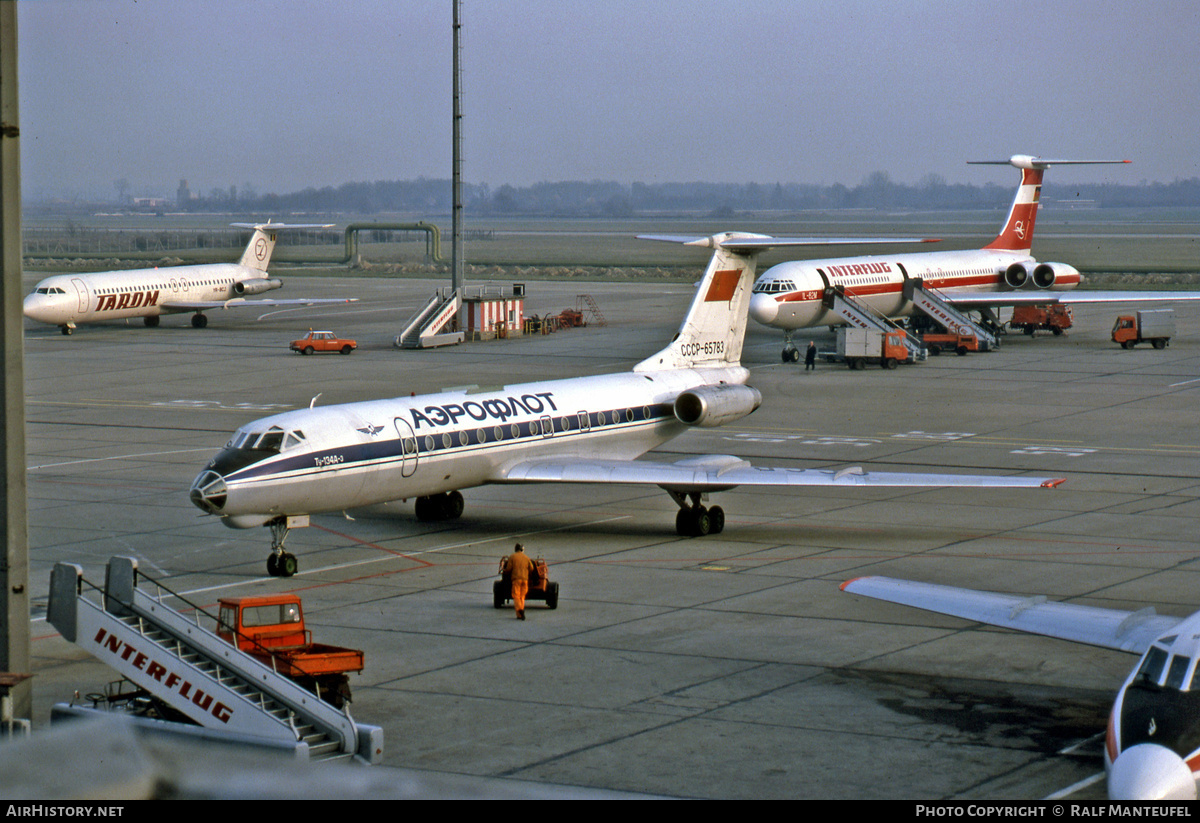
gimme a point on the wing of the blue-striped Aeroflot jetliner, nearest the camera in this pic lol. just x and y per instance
(715, 473)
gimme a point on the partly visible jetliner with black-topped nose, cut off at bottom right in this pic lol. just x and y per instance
(1153, 748)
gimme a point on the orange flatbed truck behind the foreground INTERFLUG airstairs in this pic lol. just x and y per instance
(272, 629)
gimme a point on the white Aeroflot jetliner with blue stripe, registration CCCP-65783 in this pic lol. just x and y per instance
(279, 471)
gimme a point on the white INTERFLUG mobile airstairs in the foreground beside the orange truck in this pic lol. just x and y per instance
(191, 670)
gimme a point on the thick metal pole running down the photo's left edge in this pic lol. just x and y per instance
(15, 654)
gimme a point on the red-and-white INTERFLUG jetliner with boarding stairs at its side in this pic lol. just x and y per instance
(790, 296)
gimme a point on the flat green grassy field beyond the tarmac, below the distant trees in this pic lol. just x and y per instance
(1138, 242)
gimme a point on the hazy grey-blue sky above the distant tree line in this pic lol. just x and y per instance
(290, 94)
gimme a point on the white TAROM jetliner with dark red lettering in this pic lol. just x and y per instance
(68, 301)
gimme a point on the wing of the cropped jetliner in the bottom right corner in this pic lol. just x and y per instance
(1108, 628)
